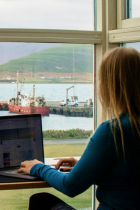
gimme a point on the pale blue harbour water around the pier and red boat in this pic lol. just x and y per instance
(54, 92)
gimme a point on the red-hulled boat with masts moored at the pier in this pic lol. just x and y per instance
(27, 104)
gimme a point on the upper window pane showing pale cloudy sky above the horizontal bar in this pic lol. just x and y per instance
(47, 14)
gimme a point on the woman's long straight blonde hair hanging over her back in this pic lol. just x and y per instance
(119, 87)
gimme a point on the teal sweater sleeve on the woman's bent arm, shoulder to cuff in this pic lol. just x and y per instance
(95, 160)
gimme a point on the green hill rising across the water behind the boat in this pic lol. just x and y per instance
(60, 59)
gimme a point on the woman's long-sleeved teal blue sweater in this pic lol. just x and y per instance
(117, 178)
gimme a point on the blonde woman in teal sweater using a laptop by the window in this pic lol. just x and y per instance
(112, 157)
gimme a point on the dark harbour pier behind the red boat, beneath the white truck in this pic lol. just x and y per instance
(81, 111)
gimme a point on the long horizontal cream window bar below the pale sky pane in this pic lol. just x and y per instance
(50, 36)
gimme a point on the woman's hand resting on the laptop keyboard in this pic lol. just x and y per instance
(27, 165)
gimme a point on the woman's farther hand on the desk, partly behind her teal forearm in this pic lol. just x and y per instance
(66, 162)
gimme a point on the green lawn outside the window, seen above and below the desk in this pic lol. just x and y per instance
(18, 199)
